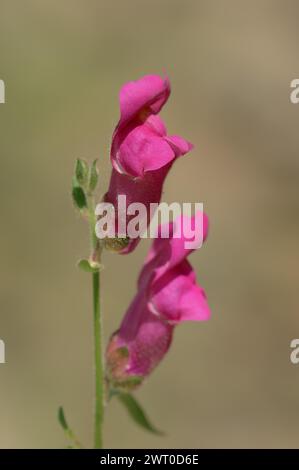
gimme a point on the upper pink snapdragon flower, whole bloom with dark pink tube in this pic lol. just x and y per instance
(142, 153)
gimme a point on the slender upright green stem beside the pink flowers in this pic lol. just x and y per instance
(98, 354)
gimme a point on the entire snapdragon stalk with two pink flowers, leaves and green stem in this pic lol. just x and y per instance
(142, 154)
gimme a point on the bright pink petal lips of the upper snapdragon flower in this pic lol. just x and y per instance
(140, 142)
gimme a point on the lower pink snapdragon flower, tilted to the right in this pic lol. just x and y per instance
(168, 295)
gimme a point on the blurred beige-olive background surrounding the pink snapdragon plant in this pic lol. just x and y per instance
(228, 382)
